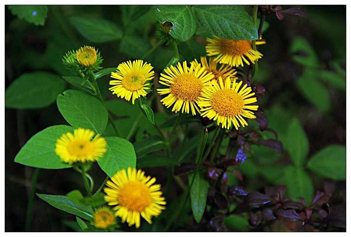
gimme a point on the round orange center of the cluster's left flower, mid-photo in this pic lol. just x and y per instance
(187, 87)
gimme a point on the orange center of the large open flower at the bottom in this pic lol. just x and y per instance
(135, 196)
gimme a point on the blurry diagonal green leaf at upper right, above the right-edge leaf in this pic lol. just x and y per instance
(314, 90)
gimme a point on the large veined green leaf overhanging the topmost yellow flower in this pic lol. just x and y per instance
(229, 22)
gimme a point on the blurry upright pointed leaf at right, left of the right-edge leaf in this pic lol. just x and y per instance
(297, 143)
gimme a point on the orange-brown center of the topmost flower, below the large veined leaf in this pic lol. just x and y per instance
(235, 47)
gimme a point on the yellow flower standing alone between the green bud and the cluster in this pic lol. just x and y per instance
(132, 79)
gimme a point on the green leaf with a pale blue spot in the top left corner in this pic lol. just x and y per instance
(32, 14)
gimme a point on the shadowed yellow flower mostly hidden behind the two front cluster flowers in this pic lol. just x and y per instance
(211, 65)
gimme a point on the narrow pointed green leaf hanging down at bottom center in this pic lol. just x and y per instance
(198, 194)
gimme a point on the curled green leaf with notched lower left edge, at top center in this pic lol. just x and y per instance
(182, 20)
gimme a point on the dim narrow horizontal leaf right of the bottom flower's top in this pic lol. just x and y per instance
(153, 160)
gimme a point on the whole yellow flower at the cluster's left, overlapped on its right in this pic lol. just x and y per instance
(185, 86)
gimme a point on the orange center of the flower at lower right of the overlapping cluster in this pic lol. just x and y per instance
(227, 103)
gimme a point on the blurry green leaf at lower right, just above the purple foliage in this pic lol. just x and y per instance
(299, 184)
